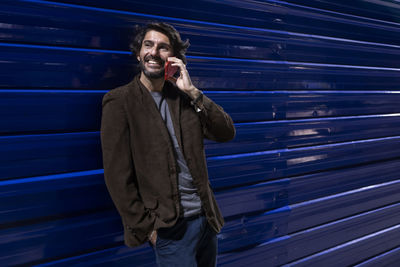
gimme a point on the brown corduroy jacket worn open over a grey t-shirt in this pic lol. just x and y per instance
(140, 168)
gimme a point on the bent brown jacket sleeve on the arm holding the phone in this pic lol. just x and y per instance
(217, 124)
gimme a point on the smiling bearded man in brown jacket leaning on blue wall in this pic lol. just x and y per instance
(155, 169)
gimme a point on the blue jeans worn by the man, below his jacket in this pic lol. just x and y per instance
(190, 242)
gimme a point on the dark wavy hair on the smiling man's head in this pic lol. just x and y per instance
(179, 47)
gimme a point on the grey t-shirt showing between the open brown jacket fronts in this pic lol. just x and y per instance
(190, 200)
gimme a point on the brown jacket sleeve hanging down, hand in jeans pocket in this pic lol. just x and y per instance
(119, 170)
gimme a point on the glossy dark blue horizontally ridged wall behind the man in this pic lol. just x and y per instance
(313, 87)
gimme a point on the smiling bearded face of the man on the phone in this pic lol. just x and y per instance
(153, 54)
